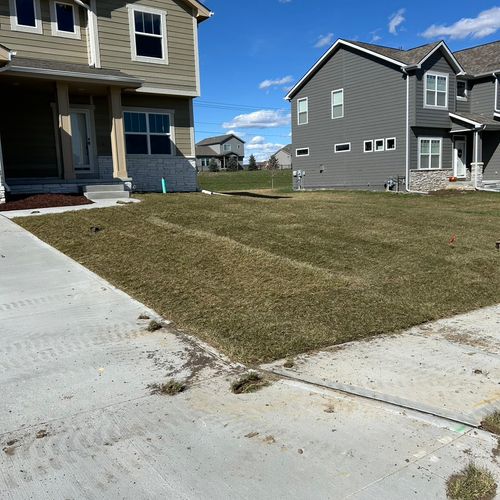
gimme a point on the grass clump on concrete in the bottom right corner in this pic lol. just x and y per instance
(472, 483)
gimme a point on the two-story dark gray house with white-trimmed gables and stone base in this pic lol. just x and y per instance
(367, 116)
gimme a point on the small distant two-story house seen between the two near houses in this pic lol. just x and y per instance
(220, 149)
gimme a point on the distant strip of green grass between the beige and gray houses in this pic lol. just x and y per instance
(243, 180)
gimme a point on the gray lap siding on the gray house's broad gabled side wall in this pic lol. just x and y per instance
(374, 108)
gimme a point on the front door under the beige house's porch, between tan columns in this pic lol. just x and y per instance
(81, 132)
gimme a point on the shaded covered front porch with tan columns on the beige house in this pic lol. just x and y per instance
(57, 120)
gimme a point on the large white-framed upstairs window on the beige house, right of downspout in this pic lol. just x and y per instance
(148, 33)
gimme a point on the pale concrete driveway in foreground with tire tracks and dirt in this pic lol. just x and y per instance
(78, 421)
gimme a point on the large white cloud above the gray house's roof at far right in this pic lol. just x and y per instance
(485, 24)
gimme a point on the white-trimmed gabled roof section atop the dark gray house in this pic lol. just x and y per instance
(404, 59)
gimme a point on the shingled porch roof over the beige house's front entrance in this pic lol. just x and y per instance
(68, 71)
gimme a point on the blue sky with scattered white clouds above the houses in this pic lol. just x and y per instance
(251, 51)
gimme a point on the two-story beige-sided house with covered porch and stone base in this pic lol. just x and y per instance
(98, 93)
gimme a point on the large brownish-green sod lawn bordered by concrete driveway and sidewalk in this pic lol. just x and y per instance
(263, 279)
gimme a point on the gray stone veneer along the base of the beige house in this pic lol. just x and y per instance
(147, 171)
